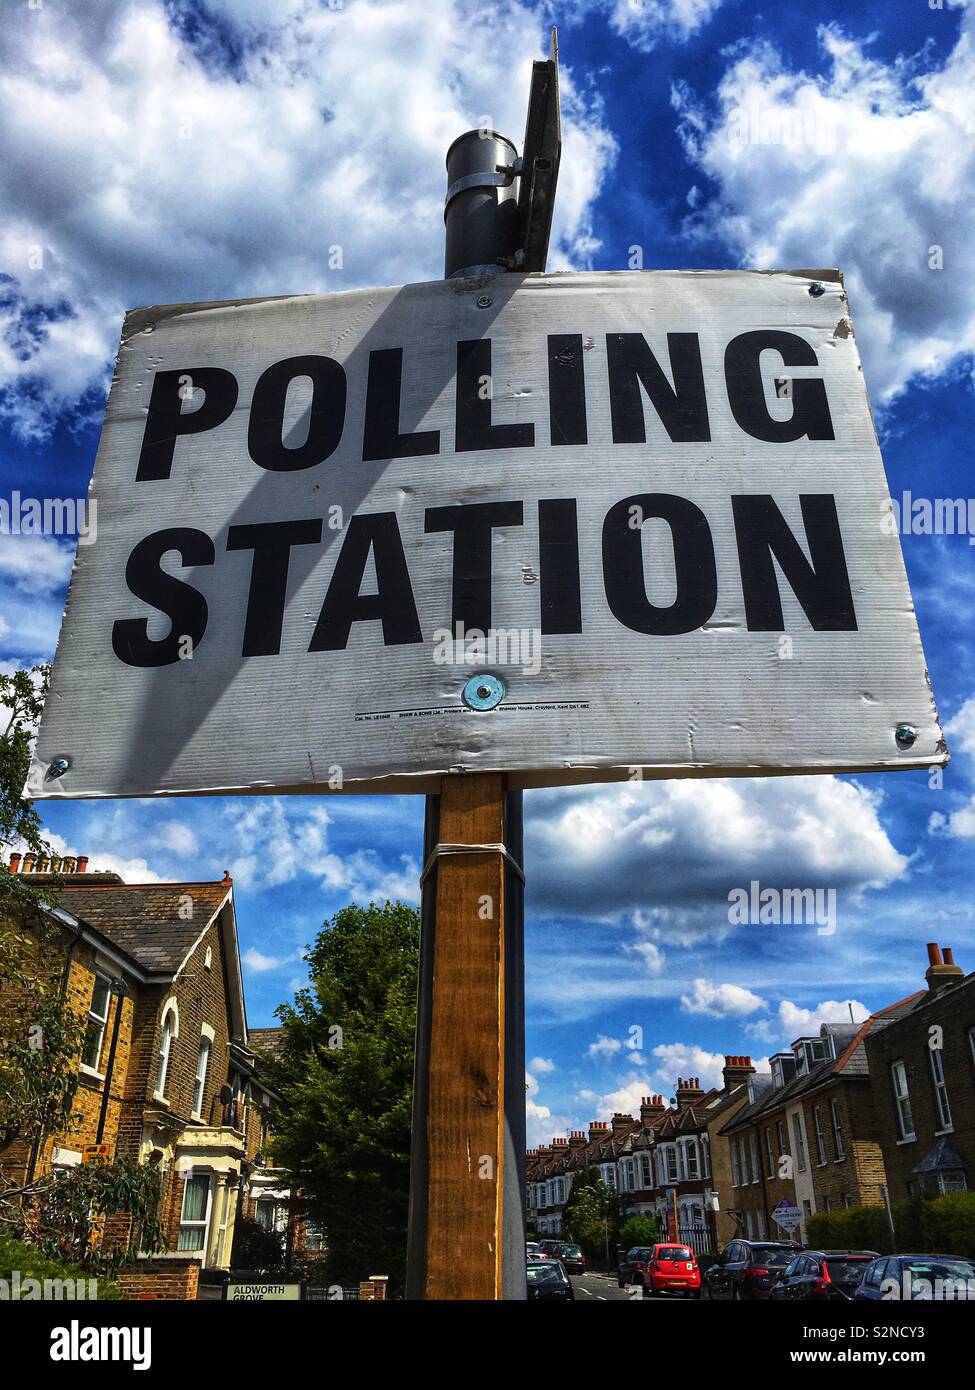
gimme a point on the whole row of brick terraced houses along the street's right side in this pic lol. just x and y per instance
(839, 1117)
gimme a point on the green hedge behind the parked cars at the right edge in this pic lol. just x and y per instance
(937, 1227)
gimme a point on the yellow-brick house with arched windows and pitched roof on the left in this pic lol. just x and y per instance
(169, 1074)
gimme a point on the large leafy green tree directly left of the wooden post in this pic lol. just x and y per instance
(347, 1072)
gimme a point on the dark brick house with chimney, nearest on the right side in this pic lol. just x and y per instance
(923, 1074)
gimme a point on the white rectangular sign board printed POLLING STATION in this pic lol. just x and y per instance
(575, 528)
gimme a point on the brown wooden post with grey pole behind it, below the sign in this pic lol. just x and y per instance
(467, 1202)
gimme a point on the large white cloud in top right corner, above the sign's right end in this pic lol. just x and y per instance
(805, 165)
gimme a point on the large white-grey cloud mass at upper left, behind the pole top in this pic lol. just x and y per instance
(140, 170)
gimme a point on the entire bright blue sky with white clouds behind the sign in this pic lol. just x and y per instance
(172, 152)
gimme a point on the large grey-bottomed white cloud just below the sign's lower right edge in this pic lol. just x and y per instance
(610, 851)
